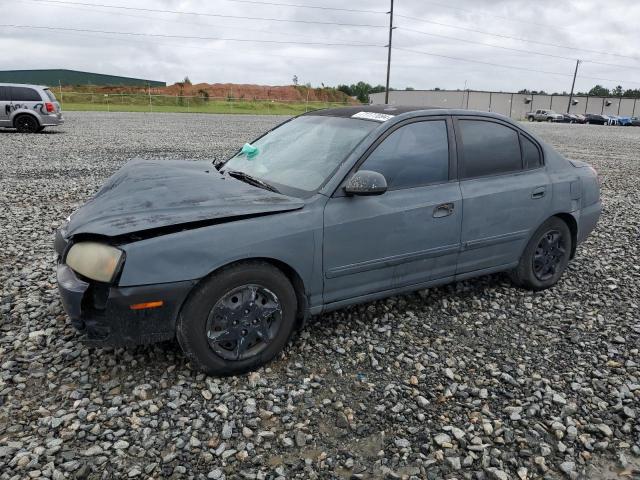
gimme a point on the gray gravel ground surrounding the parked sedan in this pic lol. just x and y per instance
(475, 380)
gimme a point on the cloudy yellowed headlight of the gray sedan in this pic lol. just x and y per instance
(96, 261)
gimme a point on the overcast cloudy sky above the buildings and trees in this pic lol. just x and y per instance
(606, 32)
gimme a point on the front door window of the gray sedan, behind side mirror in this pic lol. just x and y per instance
(413, 155)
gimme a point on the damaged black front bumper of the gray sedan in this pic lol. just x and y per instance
(103, 313)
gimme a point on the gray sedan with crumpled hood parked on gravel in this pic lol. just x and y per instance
(331, 208)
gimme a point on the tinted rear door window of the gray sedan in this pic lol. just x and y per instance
(489, 149)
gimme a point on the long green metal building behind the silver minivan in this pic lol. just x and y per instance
(72, 77)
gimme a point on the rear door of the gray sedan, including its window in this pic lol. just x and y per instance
(505, 190)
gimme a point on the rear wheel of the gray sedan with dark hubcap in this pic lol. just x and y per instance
(543, 260)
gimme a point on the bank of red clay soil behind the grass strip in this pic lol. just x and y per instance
(237, 91)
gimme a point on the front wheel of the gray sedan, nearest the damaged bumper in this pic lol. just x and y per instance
(218, 337)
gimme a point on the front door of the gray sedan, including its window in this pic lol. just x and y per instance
(408, 235)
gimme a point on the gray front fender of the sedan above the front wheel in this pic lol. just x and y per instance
(293, 238)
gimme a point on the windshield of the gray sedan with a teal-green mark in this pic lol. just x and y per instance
(302, 153)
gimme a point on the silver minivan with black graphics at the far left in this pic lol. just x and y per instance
(28, 108)
